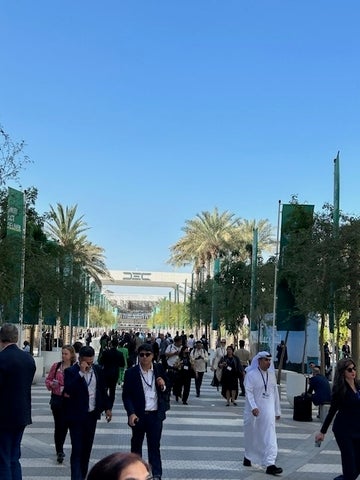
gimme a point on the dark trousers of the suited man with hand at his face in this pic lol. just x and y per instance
(82, 437)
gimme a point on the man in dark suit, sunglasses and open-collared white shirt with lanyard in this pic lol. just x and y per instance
(145, 392)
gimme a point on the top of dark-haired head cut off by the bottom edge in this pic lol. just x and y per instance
(120, 466)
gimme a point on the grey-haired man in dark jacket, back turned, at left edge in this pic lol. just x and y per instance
(17, 369)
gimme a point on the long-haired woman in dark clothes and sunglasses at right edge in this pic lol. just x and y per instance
(345, 404)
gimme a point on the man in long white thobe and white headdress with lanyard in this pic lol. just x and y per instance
(262, 408)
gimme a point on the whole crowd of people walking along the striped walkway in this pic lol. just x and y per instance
(150, 371)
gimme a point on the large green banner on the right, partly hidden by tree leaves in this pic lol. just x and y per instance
(294, 217)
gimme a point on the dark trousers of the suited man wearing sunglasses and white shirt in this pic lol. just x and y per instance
(151, 426)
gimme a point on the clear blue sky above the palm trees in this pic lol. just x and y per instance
(145, 113)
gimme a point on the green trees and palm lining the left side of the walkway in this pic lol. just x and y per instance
(57, 270)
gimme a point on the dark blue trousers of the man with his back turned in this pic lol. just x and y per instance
(10, 453)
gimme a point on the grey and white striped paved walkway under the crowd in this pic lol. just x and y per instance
(201, 441)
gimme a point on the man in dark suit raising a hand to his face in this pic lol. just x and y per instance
(85, 398)
